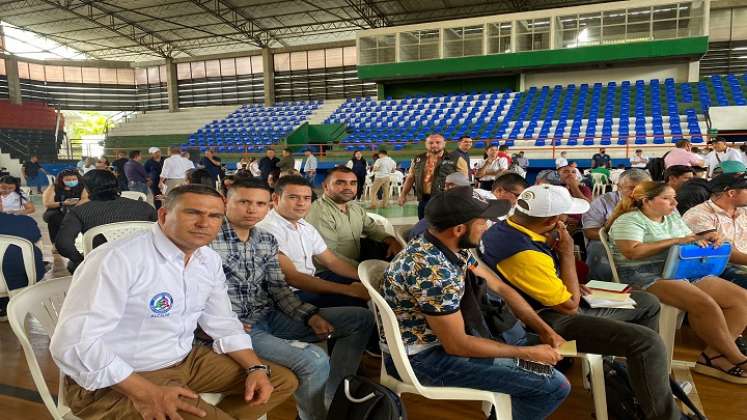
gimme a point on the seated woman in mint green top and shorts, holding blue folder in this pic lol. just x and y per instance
(641, 230)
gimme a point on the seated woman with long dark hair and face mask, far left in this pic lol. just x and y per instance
(58, 198)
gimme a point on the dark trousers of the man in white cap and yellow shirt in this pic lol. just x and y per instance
(631, 333)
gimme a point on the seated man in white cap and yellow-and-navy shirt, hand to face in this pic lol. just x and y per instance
(533, 251)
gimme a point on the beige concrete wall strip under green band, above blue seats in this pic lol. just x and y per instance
(678, 71)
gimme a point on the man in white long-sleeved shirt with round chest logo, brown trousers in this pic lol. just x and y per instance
(125, 335)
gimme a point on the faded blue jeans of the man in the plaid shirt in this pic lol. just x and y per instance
(283, 340)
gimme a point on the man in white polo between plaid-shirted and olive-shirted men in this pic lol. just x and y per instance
(300, 243)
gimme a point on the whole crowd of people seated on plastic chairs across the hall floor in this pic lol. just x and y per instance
(285, 262)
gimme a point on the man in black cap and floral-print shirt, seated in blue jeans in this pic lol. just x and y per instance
(425, 286)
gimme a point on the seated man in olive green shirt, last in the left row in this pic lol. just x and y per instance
(342, 222)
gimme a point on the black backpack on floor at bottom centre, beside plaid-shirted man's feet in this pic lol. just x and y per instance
(359, 398)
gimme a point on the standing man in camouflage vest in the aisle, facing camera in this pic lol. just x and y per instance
(429, 170)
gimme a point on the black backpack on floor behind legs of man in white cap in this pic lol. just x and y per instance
(621, 401)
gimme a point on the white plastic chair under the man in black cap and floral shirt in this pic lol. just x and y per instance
(371, 273)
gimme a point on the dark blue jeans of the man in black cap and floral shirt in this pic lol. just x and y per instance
(533, 395)
